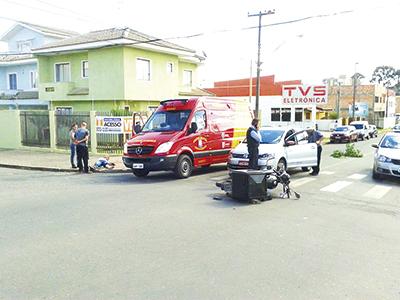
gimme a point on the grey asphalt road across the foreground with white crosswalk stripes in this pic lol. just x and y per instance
(100, 236)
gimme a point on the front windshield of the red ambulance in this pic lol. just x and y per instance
(167, 121)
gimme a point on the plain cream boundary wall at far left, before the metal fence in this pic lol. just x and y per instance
(10, 129)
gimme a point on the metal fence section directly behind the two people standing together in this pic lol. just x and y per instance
(63, 126)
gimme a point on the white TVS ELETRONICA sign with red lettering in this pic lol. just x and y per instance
(304, 94)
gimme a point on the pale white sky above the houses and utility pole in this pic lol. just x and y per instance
(320, 47)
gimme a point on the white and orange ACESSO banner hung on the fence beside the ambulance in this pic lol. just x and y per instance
(114, 125)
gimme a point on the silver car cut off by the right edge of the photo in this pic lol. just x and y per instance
(387, 156)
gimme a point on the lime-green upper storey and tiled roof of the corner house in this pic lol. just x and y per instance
(115, 69)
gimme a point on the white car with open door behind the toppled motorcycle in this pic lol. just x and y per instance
(280, 148)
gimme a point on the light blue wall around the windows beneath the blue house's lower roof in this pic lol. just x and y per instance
(23, 76)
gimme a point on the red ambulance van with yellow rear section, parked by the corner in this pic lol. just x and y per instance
(183, 134)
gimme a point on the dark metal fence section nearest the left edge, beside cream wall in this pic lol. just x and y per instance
(35, 128)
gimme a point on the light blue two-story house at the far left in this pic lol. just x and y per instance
(18, 67)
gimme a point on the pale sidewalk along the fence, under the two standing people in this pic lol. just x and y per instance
(39, 159)
